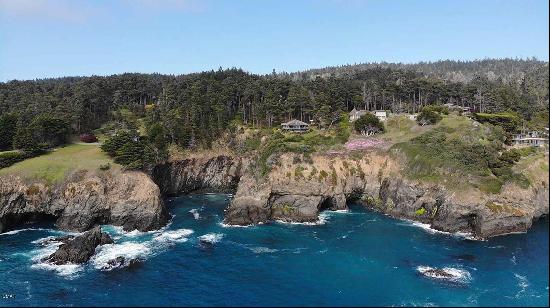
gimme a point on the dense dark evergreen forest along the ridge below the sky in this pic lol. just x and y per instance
(199, 107)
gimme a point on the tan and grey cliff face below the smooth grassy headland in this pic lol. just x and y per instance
(127, 199)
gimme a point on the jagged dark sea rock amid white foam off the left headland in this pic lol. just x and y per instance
(80, 248)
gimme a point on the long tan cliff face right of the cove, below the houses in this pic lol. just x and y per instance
(298, 192)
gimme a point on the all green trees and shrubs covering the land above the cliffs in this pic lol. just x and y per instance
(141, 120)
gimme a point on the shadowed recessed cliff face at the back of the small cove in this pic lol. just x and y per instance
(213, 174)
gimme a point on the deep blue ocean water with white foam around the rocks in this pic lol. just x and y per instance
(351, 258)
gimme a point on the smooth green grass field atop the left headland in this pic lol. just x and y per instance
(54, 166)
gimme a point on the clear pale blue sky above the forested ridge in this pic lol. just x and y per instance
(54, 38)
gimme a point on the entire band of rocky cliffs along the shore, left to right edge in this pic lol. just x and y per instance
(290, 192)
